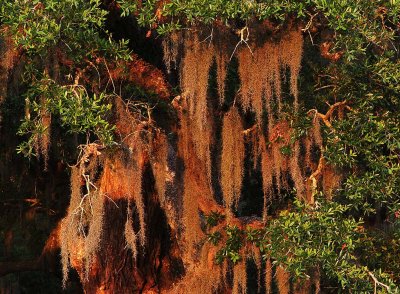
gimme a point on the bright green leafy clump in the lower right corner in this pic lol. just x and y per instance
(306, 238)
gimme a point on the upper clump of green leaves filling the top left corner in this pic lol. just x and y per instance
(76, 25)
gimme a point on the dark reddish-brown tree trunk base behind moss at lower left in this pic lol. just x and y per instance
(158, 264)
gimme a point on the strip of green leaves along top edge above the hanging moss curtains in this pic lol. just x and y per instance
(341, 16)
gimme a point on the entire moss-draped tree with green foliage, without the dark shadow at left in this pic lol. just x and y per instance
(269, 139)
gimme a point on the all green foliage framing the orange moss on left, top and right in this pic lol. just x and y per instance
(363, 143)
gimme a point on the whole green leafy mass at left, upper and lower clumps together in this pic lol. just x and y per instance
(74, 29)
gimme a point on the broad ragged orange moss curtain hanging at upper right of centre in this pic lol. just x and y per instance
(270, 60)
